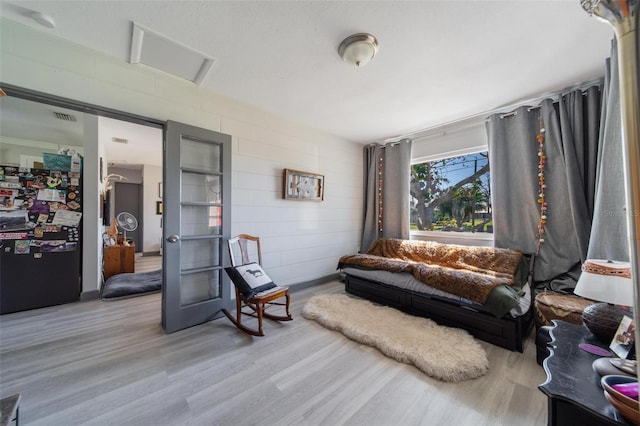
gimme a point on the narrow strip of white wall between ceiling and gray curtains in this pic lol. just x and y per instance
(479, 118)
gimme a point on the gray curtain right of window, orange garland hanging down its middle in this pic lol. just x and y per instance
(571, 141)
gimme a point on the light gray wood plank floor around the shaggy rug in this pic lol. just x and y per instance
(102, 363)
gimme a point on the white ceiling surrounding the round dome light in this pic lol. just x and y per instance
(439, 61)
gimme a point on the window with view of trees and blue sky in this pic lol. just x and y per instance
(451, 195)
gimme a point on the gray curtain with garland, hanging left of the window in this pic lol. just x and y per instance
(395, 159)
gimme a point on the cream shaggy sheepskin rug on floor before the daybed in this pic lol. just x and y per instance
(444, 353)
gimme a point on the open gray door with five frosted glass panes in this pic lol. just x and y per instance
(196, 209)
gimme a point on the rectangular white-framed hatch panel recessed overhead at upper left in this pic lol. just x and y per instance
(159, 52)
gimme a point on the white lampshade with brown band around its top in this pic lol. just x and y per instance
(606, 281)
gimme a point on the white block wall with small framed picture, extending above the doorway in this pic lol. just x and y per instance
(301, 241)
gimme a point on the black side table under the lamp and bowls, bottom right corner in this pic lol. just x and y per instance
(575, 396)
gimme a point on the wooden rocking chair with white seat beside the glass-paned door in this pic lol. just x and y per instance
(241, 252)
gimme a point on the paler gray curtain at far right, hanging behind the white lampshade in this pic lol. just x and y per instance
(609, 234)
